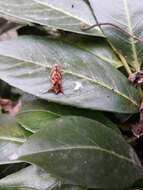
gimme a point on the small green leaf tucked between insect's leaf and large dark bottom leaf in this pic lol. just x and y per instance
(37, 114)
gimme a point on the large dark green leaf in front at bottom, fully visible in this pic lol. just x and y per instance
(84, 152)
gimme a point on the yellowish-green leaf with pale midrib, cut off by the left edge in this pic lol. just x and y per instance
(11, 137)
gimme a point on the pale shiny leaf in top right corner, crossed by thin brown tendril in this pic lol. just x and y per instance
(127, 15)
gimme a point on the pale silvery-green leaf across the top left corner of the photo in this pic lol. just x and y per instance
(31, 11)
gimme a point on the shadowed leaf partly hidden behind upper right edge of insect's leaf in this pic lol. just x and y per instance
(96, 46)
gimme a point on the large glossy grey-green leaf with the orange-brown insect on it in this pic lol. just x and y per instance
(88, 81)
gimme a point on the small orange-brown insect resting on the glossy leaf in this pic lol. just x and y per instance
(56, 79)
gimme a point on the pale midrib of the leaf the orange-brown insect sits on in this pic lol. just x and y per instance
(82, 77)
